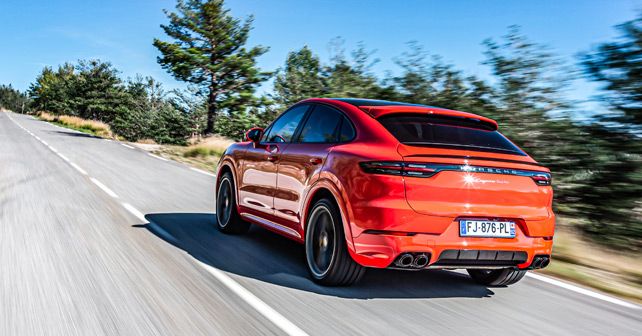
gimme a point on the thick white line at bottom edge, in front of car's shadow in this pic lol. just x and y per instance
(256, 303)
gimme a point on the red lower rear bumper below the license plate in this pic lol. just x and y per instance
(379, 250)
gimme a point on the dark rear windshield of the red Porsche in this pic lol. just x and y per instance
(445, 132)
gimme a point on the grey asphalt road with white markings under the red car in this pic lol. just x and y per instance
(99, 238)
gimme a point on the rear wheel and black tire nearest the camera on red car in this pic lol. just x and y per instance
(326, 253)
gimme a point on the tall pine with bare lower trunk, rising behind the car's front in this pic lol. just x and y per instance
(208, 50)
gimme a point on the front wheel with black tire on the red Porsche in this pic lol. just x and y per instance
(228, 219)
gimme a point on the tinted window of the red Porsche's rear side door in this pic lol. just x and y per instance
(322, 125)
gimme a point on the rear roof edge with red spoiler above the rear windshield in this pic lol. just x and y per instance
(378, 108)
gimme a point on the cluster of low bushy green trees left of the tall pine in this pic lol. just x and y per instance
(135, 109)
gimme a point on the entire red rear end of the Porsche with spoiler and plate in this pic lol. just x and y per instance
(471, 198)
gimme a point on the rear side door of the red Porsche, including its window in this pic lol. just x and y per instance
(301, 162)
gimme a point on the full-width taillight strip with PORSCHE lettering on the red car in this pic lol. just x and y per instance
(420, 169)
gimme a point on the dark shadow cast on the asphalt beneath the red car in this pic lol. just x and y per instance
(268, 257)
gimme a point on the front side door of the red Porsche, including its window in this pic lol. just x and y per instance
(258, 173)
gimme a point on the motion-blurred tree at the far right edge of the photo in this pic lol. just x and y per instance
(613, 199)
